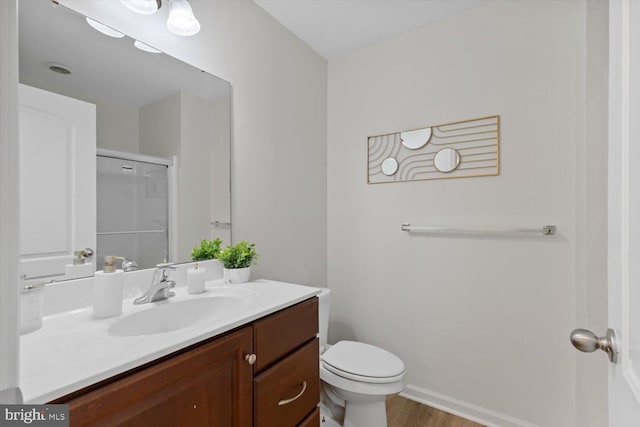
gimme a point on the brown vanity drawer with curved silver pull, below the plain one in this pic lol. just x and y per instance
(288, 391)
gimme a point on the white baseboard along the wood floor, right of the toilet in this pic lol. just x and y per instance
(462, 409)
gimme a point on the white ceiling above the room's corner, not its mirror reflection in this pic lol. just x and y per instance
(335, 27)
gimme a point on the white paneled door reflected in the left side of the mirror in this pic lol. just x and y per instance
(57, 180)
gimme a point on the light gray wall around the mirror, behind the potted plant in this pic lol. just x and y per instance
(279, 125)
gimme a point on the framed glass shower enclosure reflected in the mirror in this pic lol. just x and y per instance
(133, 193)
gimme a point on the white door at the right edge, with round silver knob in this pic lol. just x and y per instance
(624, 210)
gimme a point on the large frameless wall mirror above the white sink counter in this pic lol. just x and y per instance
(150, 108)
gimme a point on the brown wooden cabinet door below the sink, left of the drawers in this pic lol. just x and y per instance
(210, 386)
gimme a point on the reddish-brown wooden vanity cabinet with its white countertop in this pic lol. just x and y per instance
(260, 371)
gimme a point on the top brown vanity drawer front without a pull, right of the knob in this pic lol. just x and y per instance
(281, 333)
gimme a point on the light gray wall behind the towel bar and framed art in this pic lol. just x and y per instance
(482, 323)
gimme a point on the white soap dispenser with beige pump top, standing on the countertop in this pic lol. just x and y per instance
(108, 288)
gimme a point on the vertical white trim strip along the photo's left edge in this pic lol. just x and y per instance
(9, 196)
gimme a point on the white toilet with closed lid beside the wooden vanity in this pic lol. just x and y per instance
(356, 378)
